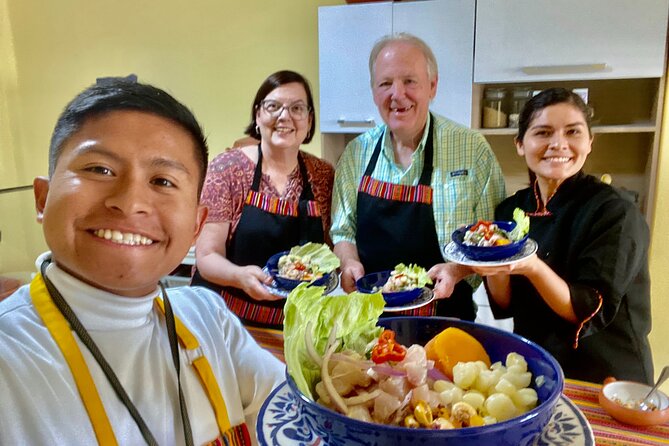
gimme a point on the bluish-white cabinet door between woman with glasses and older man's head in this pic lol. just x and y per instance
(346, 35)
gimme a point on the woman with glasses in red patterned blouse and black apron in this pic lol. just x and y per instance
(264, 199)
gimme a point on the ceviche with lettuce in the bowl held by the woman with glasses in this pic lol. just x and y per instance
(310, 261)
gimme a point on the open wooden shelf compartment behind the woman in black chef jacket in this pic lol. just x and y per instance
(626, 126)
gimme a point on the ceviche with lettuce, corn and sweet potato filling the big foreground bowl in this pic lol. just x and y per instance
(338, 357)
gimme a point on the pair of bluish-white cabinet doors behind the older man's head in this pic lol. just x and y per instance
(347, 35)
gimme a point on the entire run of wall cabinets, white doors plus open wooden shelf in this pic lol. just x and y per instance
(560, 40)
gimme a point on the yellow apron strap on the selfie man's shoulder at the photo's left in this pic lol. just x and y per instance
(62, 335)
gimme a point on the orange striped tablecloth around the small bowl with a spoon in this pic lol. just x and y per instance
(609, 432)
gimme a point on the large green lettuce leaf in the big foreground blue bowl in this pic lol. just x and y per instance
(355, 316)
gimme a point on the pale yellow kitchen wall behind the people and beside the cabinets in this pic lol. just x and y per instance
(211, 54)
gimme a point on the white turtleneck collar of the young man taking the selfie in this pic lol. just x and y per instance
(101, 310)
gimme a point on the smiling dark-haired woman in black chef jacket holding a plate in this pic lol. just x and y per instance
(585, 295)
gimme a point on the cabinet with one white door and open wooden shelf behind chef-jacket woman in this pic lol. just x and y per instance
(614, 48)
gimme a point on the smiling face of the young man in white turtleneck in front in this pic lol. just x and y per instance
(121, 208)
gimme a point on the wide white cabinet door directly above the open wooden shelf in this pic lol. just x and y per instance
(545, 40)
